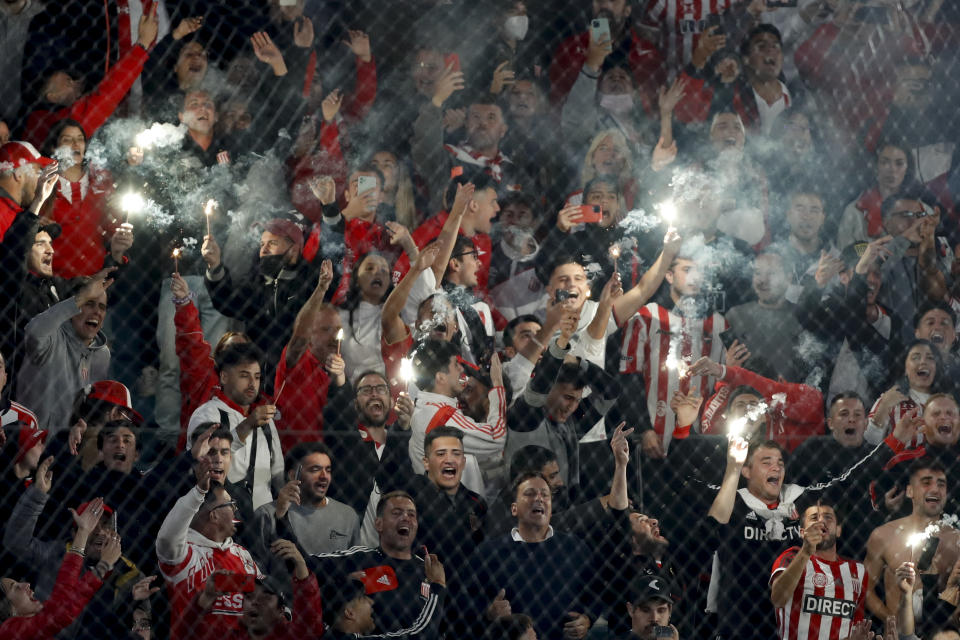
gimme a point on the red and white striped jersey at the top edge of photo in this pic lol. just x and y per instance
(681, 22)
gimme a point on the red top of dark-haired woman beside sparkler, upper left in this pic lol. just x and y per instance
(80, 208)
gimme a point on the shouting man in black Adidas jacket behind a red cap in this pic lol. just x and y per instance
(392, 574)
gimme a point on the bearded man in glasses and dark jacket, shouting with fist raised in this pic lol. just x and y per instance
(363, 439)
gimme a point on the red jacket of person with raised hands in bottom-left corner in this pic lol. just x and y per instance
(70, 595)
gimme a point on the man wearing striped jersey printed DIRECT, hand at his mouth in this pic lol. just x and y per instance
(805, 587)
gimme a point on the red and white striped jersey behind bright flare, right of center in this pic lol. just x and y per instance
(660, 345)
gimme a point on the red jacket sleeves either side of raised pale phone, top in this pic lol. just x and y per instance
(646, 63)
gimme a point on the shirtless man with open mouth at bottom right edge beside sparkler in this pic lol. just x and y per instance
(887, 547)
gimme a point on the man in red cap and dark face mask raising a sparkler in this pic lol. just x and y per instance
(269, 302)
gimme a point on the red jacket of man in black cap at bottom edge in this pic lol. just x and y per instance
(307, 618)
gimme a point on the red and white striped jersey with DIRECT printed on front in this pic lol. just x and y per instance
(828, 600)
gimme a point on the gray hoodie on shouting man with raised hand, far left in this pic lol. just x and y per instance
(57, 364)
